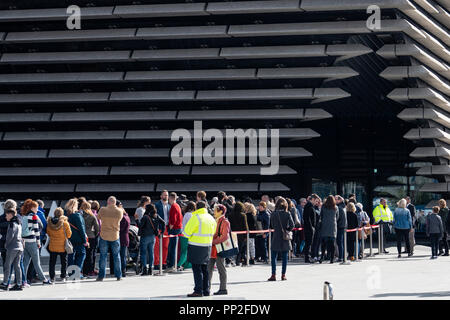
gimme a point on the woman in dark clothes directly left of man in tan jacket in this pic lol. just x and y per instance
(92, 230)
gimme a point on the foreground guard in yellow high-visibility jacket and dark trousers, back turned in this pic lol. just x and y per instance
(200, 230)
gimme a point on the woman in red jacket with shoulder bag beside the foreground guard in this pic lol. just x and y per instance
(221, 235)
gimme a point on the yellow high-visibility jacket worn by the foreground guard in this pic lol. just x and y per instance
(200, 228)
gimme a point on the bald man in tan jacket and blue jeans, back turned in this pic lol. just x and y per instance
(110, 217)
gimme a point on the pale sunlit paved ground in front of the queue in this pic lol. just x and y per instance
(379, 277)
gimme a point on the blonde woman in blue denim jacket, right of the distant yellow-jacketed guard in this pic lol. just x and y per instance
(402, 226)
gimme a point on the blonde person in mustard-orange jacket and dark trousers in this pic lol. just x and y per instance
(58, 230)
